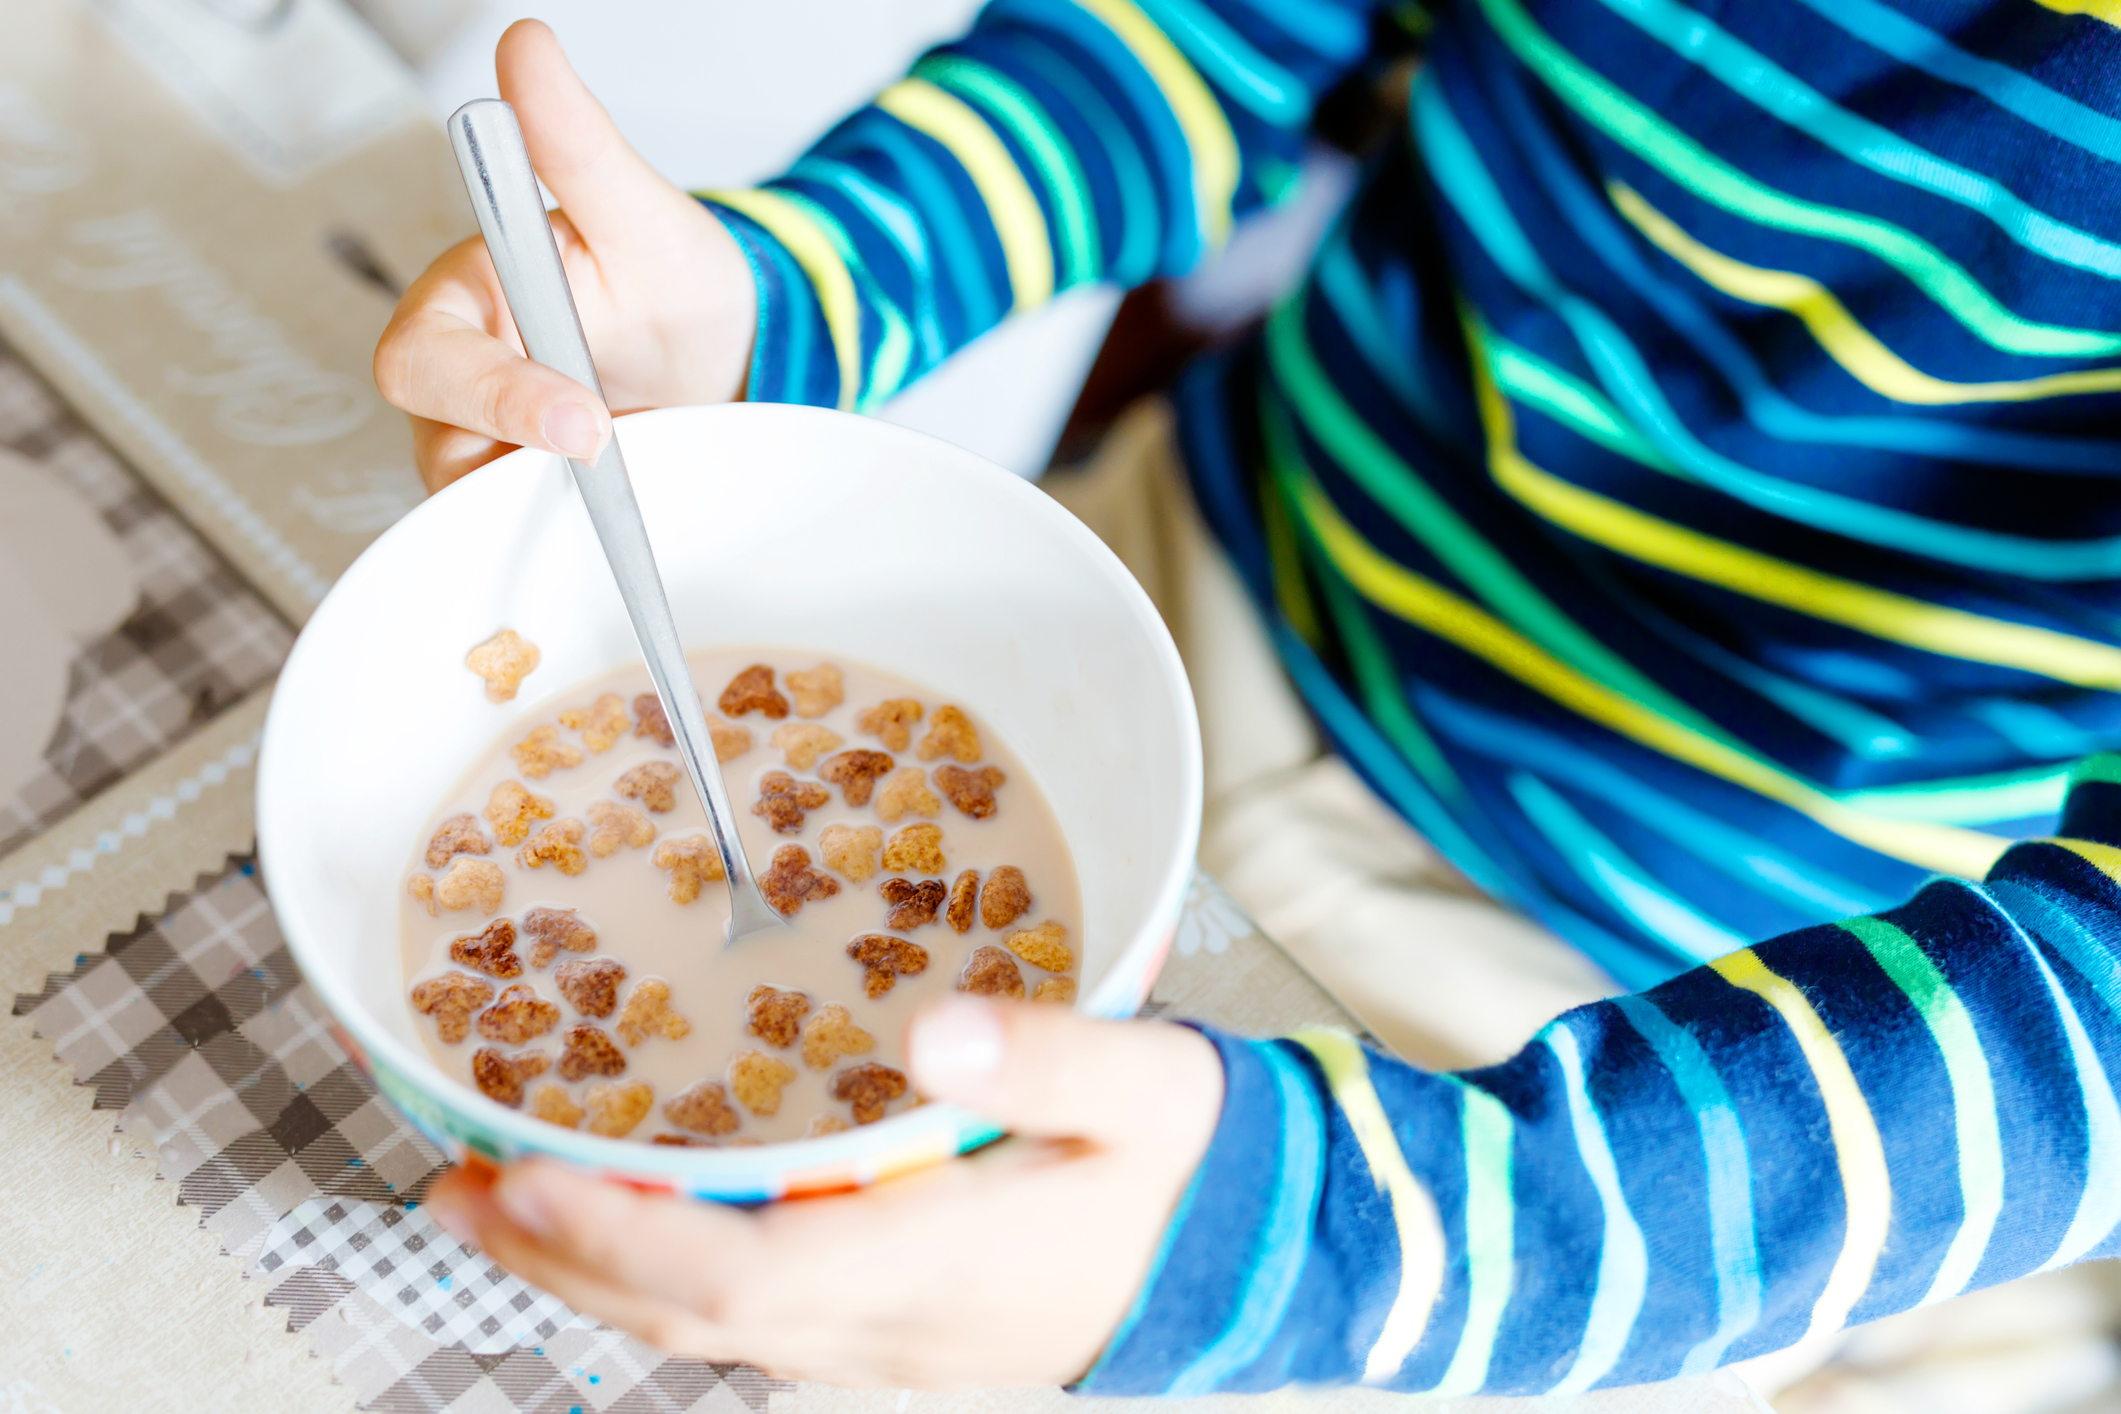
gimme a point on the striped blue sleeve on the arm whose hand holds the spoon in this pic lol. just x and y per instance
(1059, 143)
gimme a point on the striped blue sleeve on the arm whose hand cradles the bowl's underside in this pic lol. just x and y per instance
(1812, 1133)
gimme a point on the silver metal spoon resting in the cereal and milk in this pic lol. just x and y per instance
(519, 234)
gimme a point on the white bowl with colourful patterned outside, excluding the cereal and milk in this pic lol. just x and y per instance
(917, 556)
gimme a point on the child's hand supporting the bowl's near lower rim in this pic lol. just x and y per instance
(1006, 1269)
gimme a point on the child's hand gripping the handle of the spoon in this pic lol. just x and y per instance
(663, 289)
